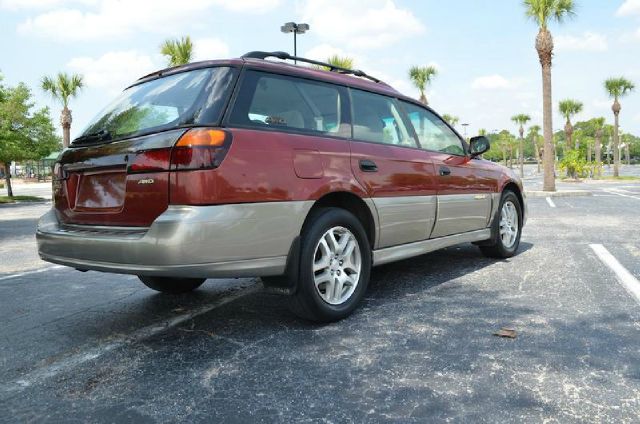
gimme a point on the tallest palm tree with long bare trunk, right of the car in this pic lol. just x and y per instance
(542, 12)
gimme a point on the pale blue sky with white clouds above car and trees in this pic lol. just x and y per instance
(483, 49)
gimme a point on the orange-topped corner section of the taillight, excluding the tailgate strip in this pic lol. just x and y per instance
(200, 148)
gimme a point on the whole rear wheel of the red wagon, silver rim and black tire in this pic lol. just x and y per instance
(335, 289)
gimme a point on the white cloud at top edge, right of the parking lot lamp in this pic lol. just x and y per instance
(360, 25)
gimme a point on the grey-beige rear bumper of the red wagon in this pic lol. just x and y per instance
(244, 240)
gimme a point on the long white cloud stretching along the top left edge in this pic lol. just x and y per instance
(119, 18)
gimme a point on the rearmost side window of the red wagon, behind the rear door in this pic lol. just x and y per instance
(288, 103)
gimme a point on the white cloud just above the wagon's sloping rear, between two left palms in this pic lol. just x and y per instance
(113, 71)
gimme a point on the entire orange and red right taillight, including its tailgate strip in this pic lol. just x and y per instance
(198, 148)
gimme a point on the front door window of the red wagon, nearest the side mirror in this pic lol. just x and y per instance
(433, 133)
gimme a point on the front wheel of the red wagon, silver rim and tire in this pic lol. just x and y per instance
(498, 247)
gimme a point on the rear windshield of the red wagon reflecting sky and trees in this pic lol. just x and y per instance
(188, 98)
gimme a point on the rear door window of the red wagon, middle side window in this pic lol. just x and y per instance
(376, 118)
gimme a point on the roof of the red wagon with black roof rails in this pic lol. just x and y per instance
(282, 67)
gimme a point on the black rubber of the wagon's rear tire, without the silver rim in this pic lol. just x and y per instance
(306, 302)
